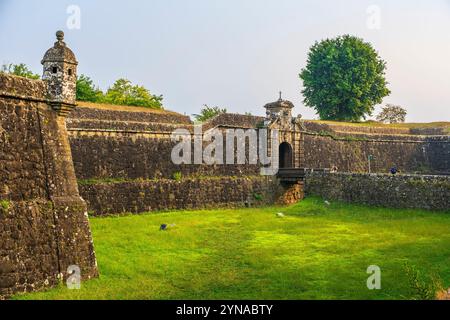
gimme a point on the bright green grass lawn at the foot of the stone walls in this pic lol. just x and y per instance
(315, 252)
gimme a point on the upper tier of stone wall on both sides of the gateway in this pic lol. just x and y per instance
(132, 144)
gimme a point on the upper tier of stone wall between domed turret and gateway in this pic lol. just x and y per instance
(125, 148)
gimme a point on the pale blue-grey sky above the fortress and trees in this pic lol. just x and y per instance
(237, 53)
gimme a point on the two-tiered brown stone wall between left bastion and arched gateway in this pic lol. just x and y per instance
(123, 163)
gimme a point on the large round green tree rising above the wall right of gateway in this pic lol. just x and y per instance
(344, 79)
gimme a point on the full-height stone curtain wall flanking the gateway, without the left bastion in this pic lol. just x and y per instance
(122, 158)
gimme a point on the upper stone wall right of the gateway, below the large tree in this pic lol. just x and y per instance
(349, 151)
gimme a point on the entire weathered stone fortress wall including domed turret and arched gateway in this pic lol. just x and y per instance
(59, 163)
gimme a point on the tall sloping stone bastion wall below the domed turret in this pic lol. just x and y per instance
(43, 226)
